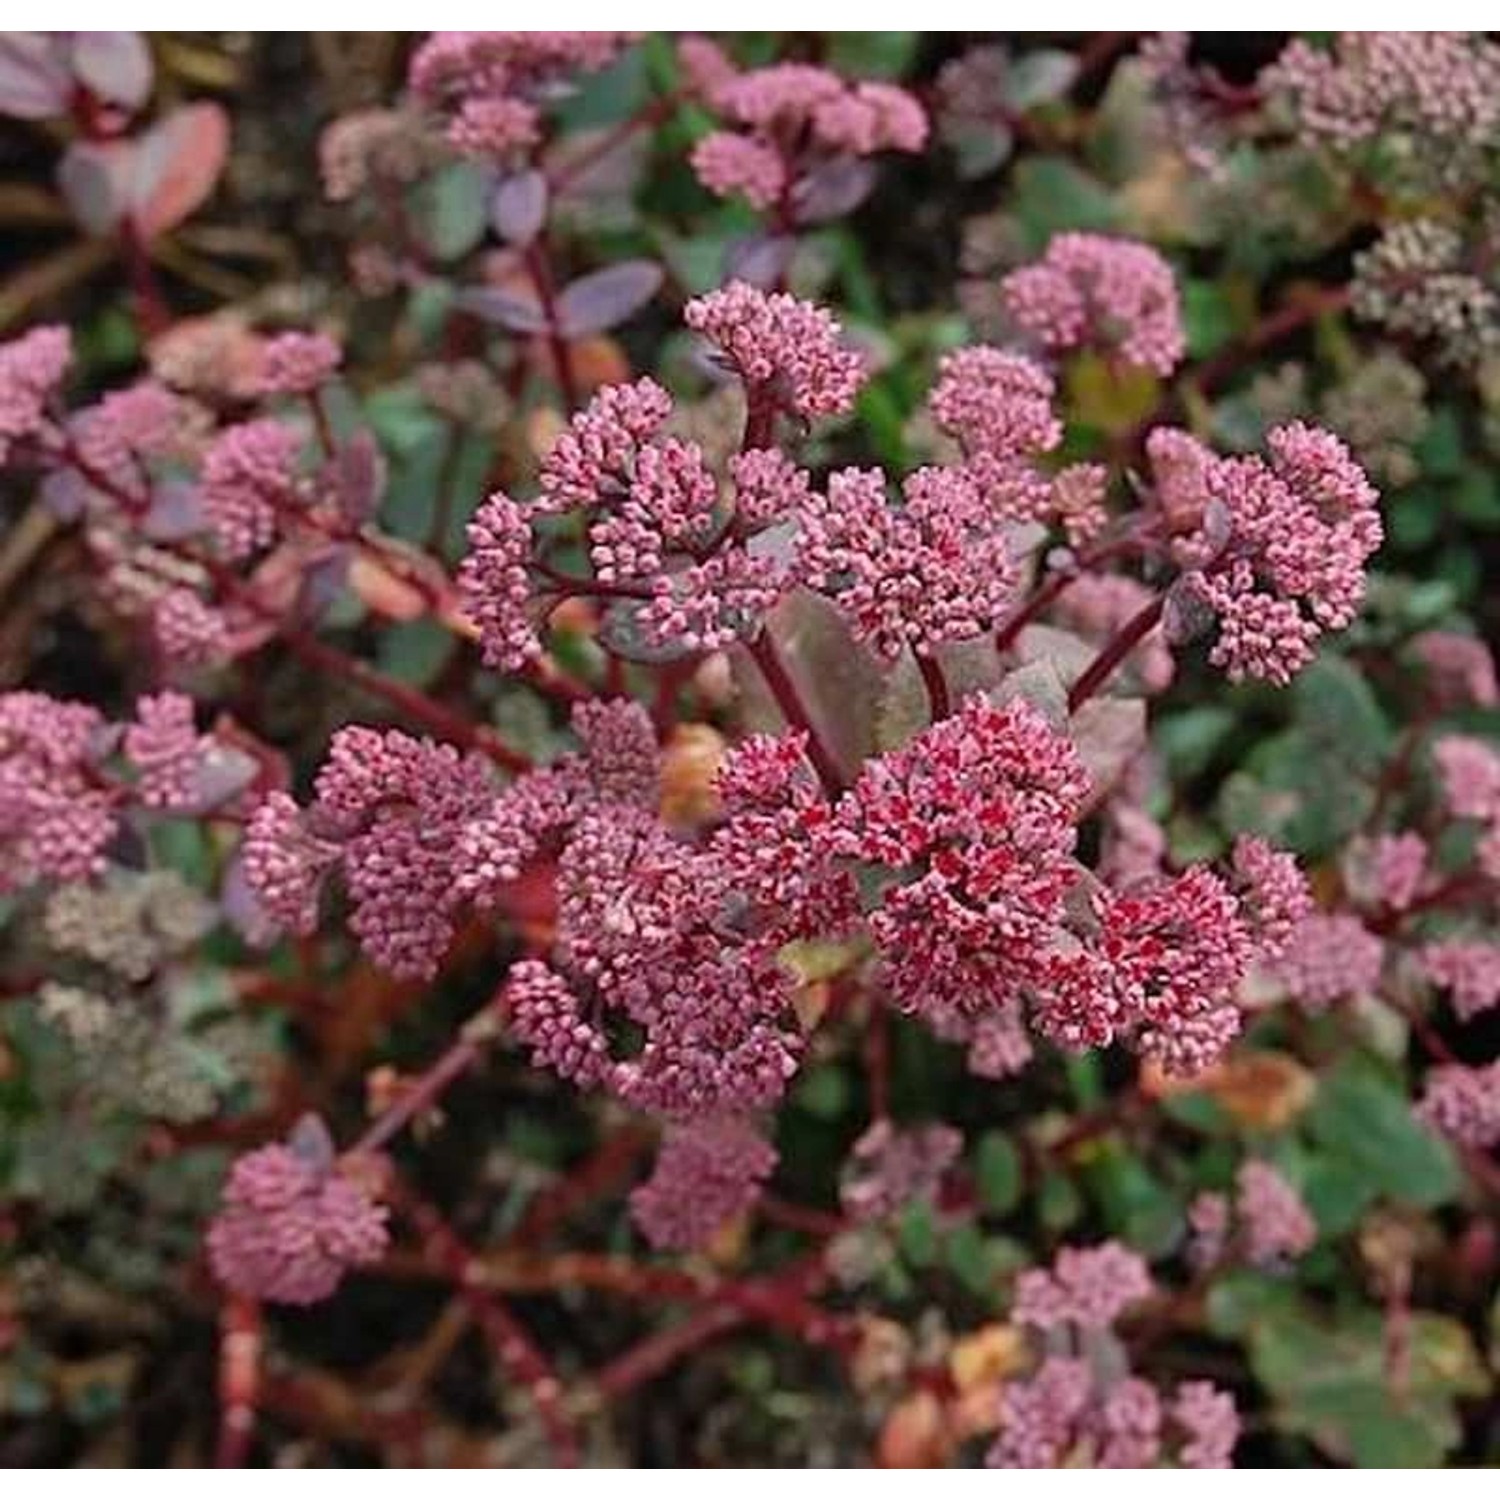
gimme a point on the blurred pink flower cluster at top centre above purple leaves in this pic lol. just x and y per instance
(785, 121)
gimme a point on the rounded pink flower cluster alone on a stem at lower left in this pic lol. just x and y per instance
(292, 1226)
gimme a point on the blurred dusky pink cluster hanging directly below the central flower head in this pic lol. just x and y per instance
(706, 1175)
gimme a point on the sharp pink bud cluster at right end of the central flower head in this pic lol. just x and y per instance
(1282, 548)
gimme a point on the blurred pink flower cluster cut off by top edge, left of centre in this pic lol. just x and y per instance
(493, 86)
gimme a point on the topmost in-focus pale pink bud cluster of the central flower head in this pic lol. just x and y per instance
(785, 350)
